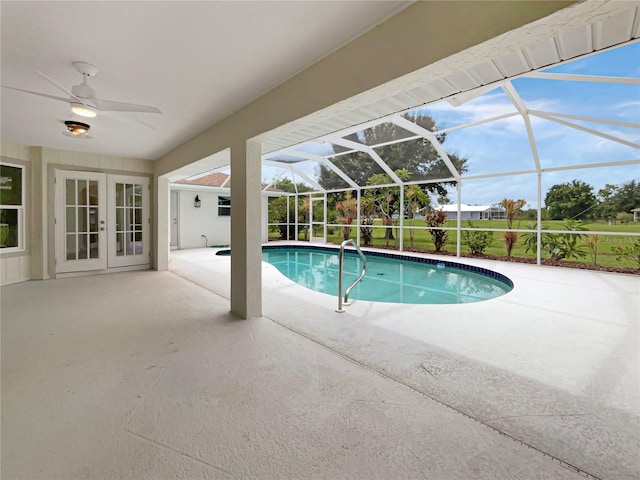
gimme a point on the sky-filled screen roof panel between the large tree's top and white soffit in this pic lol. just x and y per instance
(445, 115)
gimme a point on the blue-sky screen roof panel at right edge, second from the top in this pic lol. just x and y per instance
(609, 101)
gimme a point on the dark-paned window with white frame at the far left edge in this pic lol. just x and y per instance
(11, 207)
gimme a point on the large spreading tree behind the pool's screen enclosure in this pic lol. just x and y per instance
(418, 157)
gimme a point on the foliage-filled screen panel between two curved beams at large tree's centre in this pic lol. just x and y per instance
(419, 158)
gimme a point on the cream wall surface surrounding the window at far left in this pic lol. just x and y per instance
(16, 267)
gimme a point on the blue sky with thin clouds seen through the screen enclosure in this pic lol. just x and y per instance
(503, 145)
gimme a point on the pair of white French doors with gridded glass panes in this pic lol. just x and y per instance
(102, 221)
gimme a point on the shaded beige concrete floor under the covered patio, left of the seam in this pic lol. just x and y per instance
(145, 375)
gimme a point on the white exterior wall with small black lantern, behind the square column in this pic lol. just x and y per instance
(194, 222)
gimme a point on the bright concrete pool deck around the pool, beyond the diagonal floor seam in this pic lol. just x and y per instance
(554, 363)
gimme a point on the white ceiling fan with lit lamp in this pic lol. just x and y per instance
(82, 98)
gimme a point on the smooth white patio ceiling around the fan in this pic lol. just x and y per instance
(196, 61)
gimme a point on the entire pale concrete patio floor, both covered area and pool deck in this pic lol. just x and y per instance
(146, 375)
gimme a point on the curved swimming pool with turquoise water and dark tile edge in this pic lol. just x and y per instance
(390, 277)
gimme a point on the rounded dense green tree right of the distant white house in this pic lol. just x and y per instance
(572, 200)
